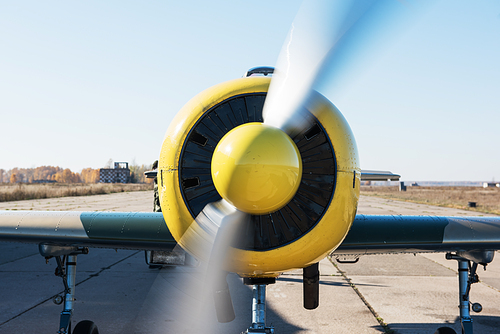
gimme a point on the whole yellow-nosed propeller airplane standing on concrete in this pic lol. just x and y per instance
(284, 194)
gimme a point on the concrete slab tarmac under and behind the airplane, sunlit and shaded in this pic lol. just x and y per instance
(119, 292)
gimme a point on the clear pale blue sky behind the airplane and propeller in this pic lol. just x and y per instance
(83, 82)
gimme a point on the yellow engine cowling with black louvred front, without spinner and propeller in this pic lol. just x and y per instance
(303, 232)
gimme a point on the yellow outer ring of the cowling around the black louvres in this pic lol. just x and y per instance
(324, 237)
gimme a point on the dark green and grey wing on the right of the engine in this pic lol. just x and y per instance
(375, 234)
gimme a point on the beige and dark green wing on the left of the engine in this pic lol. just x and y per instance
(129, 230)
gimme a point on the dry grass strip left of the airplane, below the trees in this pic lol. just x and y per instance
(20, 191)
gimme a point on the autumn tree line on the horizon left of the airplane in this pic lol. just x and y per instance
(65, 175)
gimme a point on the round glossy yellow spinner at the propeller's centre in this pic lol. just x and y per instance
(257, 168)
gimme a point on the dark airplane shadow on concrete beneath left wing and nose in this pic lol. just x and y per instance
(117, 291)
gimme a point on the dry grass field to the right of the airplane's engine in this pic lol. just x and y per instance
(487, 199)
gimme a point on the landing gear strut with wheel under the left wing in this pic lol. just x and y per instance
(66, 269)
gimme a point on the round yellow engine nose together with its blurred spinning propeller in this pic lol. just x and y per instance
(227, 174)
